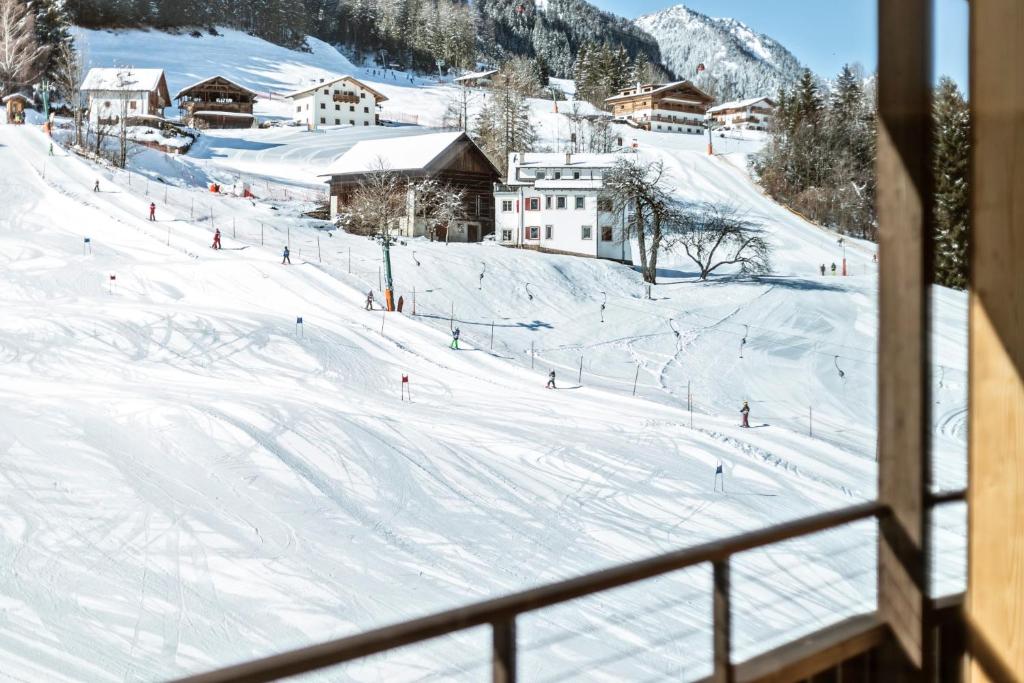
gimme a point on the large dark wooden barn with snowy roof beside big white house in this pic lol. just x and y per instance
(450, 158)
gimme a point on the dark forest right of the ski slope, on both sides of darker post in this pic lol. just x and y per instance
(821, 161)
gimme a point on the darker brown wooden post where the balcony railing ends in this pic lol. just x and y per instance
(905, 205)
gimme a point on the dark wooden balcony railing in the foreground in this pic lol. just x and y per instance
(846, 641)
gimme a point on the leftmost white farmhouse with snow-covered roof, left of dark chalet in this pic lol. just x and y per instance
(124, 92)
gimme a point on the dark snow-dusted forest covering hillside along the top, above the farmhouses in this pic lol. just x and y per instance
(414, 34)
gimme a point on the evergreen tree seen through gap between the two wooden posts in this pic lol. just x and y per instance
(953, 136)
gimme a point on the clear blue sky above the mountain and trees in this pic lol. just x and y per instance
(825, 34)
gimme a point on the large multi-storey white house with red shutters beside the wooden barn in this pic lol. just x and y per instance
(553, 203)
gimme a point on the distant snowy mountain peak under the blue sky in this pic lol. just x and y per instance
(740, 62)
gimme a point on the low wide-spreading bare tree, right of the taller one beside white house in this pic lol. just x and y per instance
(715, 235)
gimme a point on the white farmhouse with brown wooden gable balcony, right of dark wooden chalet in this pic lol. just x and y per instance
(338, 102)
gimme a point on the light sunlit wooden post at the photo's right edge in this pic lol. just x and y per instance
(996, 492)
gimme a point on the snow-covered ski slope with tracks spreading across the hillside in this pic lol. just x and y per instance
(191, 480)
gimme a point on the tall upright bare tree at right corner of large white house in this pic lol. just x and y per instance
(645, 193)
